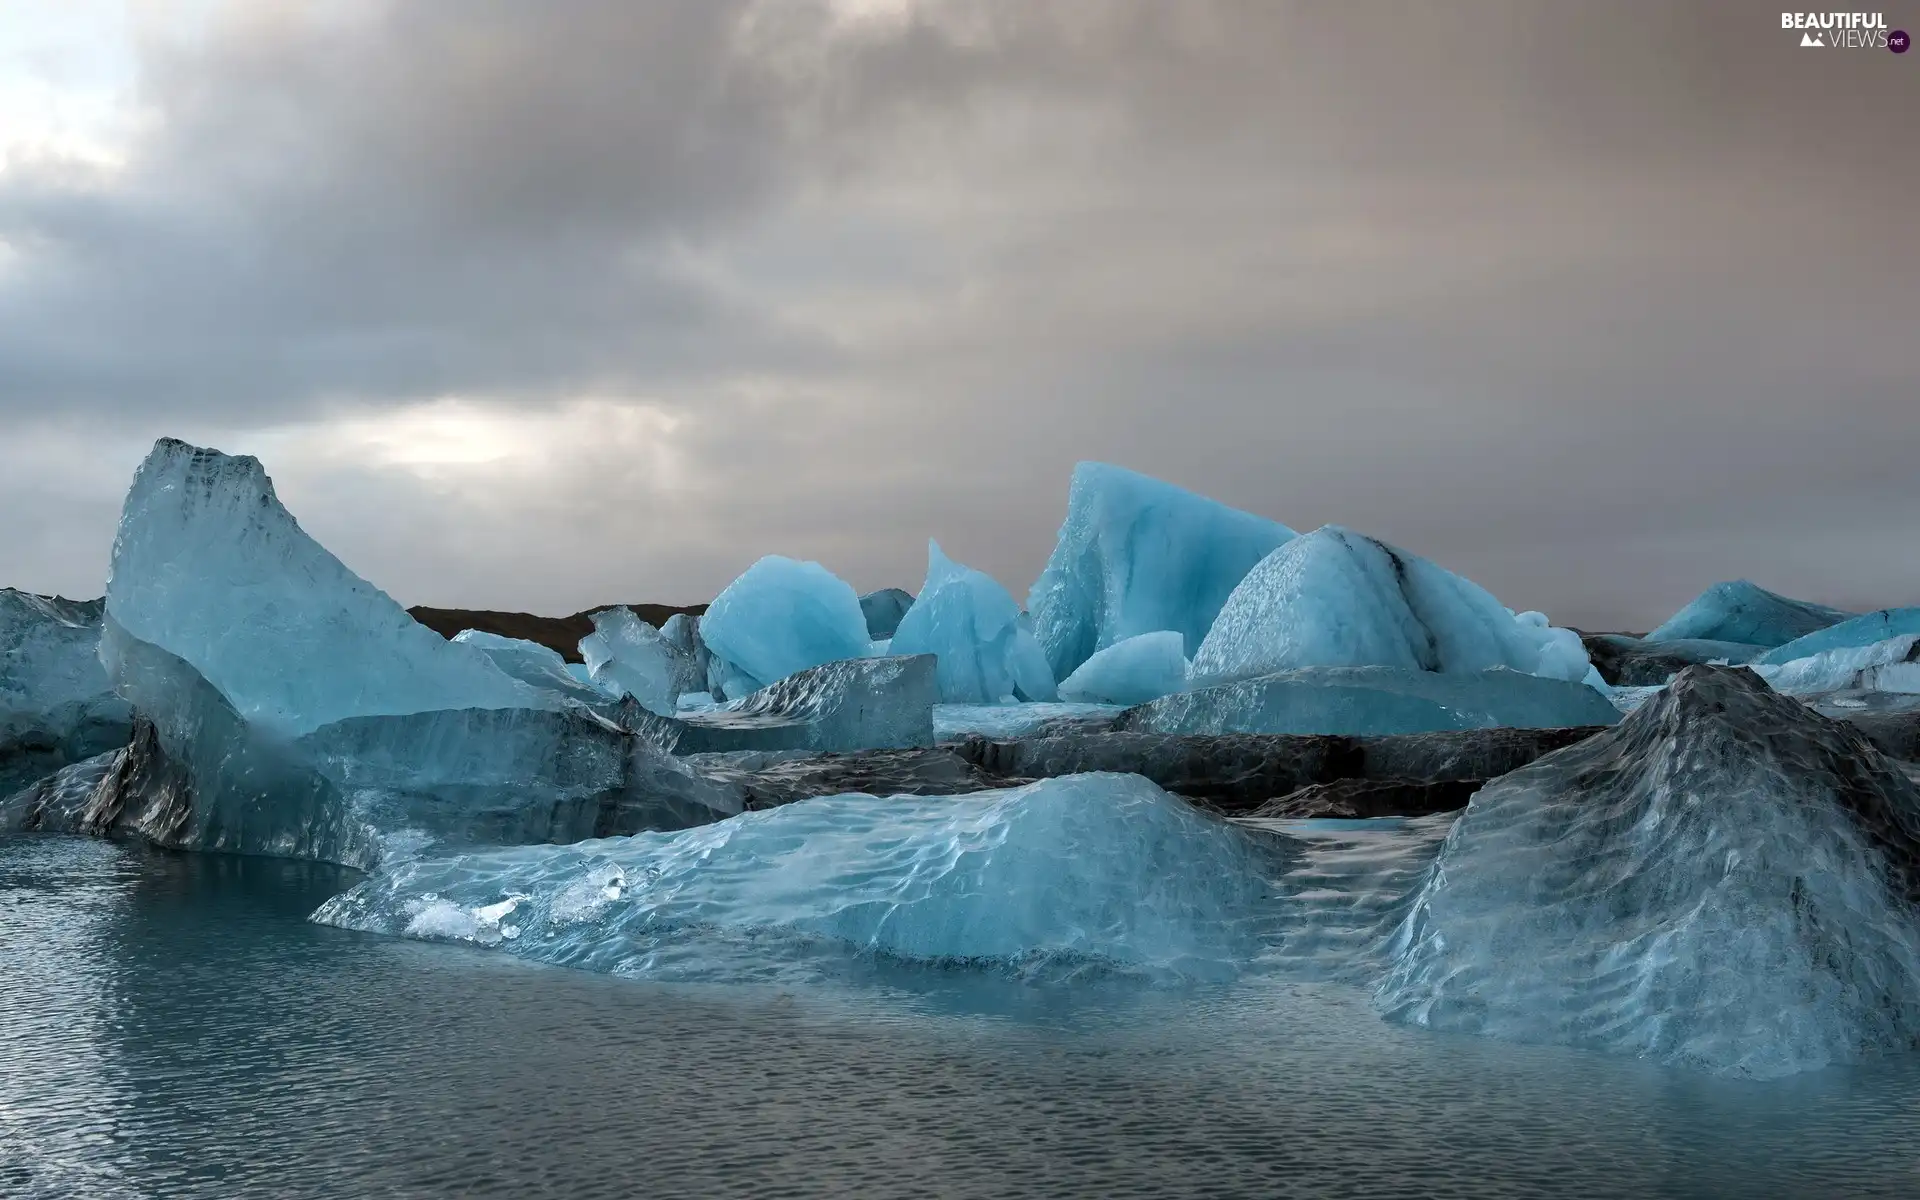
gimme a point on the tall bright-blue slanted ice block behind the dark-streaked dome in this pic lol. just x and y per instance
(1140, 556)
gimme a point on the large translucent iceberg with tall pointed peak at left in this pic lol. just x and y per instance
(293, 709)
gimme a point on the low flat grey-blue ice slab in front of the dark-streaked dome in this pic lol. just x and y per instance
(1374, 700)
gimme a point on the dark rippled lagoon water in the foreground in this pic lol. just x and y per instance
(174, 1026)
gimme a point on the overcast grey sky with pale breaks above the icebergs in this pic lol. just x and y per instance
(546, 306)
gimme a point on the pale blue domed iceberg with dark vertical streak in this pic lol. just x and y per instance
(1335, 598)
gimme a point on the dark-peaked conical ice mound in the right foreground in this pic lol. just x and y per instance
(1727, 880)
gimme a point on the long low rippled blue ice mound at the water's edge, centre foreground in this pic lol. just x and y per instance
(1093, 869)
